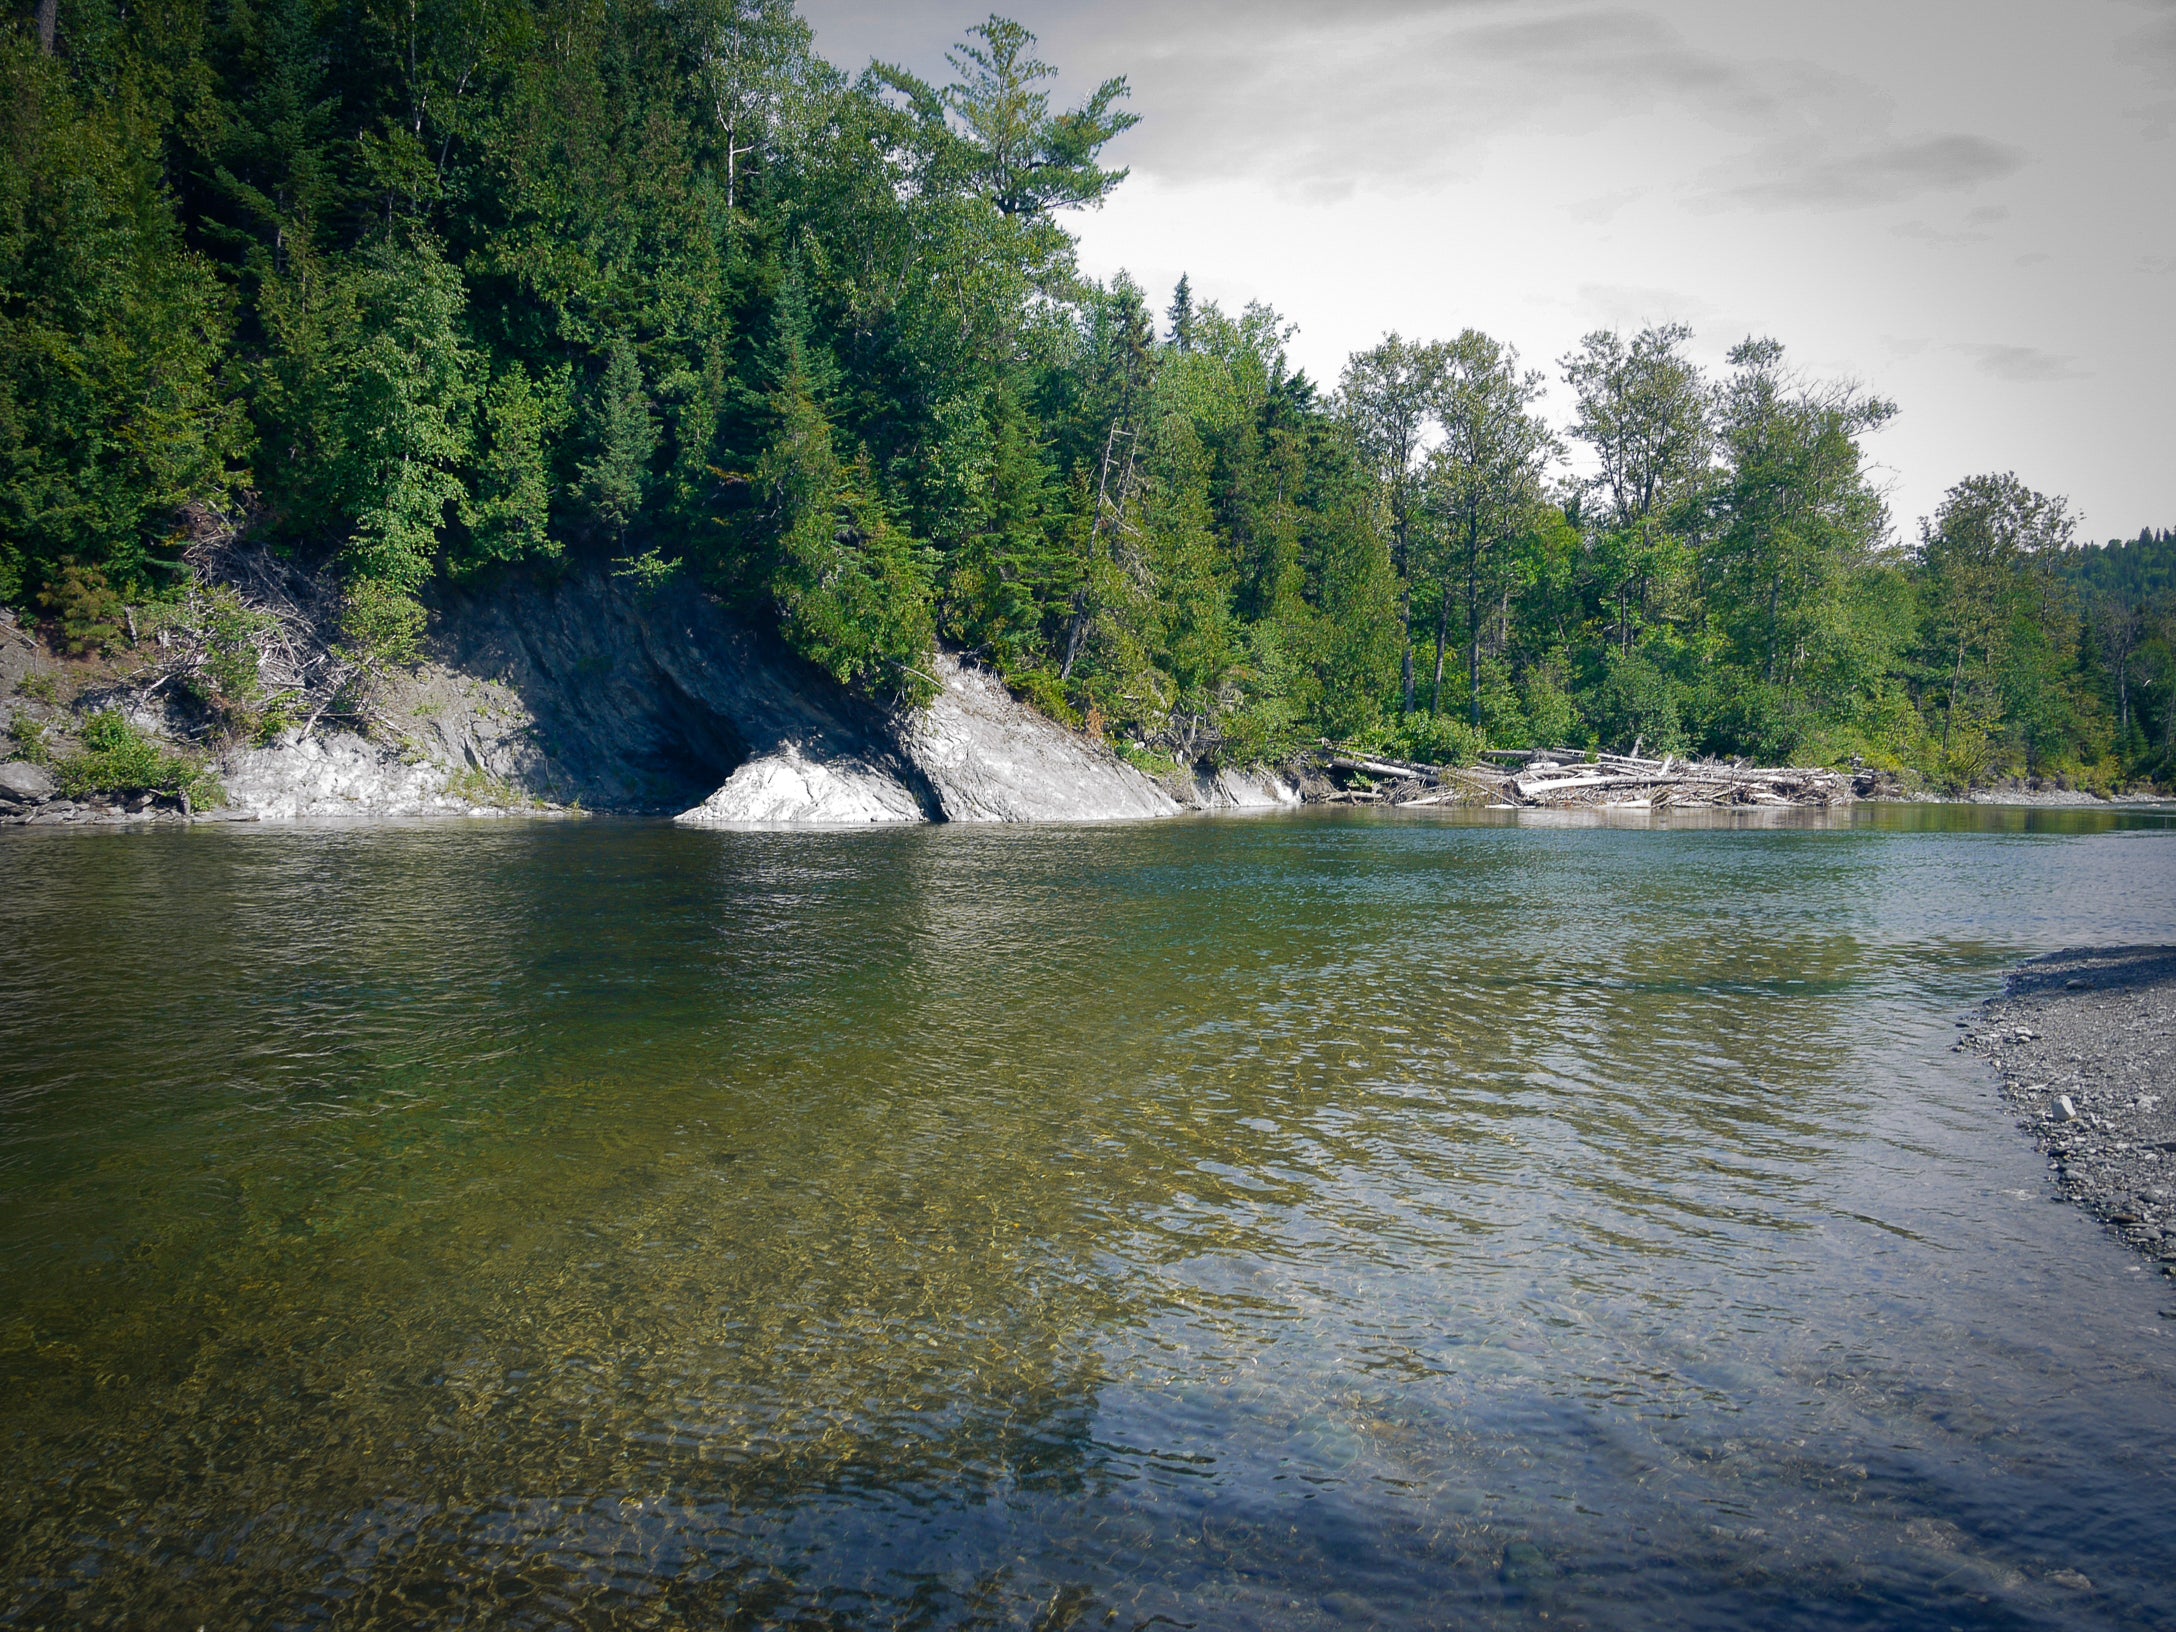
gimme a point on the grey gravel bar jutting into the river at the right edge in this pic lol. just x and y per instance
(2086, 1043)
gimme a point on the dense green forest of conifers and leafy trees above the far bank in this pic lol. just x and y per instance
(454, 288)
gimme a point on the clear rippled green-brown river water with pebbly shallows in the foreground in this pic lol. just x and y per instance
(1309, 1222)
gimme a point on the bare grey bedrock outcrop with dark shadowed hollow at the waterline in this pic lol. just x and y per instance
(584, 691)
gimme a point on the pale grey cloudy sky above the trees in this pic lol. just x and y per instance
(1968, 206)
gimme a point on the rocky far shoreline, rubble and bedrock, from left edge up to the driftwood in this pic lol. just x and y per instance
(552, 697)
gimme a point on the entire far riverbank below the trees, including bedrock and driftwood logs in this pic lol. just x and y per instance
(580, 693)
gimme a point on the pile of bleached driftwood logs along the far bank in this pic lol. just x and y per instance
(1568, 780)
